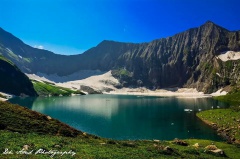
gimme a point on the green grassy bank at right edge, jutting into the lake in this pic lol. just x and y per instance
(225, 121)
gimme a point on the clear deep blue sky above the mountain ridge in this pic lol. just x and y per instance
(74, 26)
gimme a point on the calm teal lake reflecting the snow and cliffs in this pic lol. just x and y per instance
(128, 117)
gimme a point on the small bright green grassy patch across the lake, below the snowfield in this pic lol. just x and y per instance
(49, 89)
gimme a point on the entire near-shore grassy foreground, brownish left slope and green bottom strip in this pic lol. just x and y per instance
(43, 133)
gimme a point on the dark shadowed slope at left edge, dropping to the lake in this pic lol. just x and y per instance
(13, 81)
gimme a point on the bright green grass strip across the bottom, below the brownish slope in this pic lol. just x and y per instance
(89, 147)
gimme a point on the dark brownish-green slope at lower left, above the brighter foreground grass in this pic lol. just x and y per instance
(22, 120)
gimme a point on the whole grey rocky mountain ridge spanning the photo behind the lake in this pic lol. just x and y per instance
(187, 59)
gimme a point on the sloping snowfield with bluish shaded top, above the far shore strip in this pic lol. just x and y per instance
(92, 78)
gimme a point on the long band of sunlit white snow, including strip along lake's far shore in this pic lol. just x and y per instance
(106, 83)
